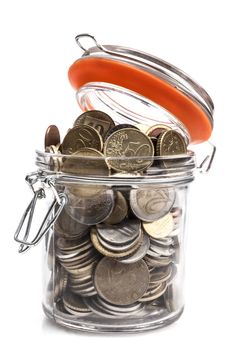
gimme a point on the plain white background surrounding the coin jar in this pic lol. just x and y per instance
(37, 46)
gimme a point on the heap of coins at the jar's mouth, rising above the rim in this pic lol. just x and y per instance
(99, 147)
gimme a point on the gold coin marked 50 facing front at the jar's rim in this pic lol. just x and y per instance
(129, 146)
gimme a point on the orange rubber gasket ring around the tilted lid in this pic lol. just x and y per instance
(97, 69)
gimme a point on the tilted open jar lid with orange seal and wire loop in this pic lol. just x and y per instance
(153, 79)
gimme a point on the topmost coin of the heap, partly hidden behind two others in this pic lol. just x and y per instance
(100, 121)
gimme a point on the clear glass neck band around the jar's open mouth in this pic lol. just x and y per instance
(179, 170)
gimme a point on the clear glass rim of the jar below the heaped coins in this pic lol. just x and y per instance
(180, 170)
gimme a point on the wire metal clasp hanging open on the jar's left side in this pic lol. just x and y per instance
(37, 180)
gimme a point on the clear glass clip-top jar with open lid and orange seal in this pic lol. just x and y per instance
(115, 243)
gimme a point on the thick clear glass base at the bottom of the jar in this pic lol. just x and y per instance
(134, 325)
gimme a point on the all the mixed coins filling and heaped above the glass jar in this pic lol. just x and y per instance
(116, 247)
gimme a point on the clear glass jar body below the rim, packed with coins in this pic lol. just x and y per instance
(109, 270)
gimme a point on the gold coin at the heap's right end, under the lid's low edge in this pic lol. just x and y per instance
(170, 143)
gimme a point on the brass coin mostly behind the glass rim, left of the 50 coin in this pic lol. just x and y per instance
(86, 161)
